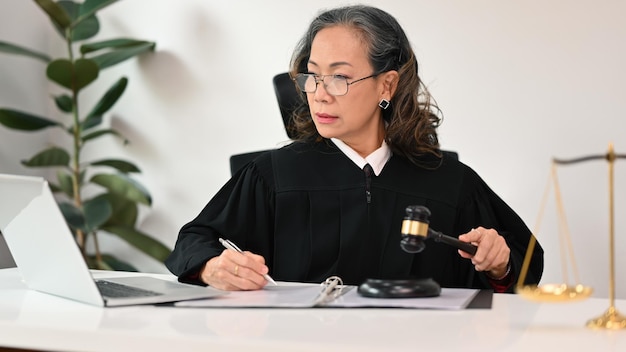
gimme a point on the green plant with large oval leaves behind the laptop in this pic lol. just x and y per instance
(94, 195)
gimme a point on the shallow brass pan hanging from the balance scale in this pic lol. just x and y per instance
(554, 292)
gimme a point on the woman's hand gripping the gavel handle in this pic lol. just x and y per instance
(492, 255)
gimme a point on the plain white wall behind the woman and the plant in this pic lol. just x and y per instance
(519, 82)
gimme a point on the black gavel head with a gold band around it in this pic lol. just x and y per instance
(415, 228)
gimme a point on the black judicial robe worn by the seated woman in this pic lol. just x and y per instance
(304, 208)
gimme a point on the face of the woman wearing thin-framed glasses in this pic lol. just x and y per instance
(355, 118)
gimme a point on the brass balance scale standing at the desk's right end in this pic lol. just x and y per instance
(611, 319)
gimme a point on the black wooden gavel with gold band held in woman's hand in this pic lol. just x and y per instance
(415, 231)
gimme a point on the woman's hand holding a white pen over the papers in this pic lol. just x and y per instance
(235, 271)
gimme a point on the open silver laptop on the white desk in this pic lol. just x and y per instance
(50, 261)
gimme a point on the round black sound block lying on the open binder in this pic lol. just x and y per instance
(405, 288)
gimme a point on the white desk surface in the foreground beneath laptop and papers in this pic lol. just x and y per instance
(33, 320)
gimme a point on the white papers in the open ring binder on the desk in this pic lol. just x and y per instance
(303, 295)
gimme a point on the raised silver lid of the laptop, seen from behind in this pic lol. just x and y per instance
(41, 243)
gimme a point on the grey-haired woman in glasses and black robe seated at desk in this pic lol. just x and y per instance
(332, 202)
